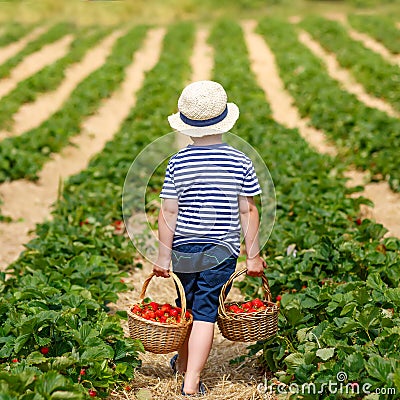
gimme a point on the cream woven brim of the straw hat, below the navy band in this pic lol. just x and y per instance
(221, 127)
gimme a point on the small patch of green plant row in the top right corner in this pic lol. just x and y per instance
(380, 27)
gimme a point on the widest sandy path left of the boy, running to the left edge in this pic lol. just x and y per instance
(31, 202)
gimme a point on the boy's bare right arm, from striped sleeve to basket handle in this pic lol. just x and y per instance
(249, 220)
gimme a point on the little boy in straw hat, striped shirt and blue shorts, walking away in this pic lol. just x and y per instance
(207, 199)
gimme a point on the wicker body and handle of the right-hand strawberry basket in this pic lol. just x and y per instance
(247, 327)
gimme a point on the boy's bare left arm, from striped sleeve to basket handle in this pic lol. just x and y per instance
(166, 228)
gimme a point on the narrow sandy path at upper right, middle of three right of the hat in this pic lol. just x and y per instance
(344, 77)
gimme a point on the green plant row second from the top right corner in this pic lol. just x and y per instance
(378, 76)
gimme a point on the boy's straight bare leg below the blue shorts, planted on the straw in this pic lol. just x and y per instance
(199, 346)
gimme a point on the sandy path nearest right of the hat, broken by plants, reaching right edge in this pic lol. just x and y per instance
(387, 203)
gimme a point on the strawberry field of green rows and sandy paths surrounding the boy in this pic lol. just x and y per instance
(333, 262)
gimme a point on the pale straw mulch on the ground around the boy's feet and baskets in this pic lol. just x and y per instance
(155, 380)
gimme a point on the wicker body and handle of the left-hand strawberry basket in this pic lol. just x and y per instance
(157, 337)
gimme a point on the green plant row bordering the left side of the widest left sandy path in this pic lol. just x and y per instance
(23, 156)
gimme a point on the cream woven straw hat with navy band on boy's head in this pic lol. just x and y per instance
(203, 110)
